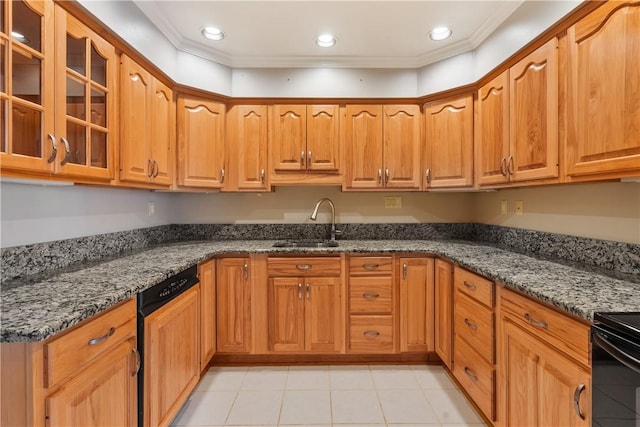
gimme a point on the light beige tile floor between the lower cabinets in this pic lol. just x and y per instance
(328, 396)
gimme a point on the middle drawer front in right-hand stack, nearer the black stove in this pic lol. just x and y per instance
(475, 324)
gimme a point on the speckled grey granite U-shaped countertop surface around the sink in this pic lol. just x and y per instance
(39, 310)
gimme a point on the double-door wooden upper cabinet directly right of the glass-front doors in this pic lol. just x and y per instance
(147, 126)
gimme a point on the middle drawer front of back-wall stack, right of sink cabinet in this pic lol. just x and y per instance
(370, 295)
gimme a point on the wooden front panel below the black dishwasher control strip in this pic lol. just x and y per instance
(172, 357)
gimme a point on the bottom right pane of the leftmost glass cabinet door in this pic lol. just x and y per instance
(26, 128)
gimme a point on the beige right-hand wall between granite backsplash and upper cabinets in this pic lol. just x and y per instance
(609, 211)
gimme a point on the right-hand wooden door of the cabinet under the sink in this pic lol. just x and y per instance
(323, 320)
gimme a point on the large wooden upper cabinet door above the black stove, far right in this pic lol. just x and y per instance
(603, 94)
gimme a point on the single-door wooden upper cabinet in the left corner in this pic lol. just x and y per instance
(201, 143)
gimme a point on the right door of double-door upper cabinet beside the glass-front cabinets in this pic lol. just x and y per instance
(163, 131)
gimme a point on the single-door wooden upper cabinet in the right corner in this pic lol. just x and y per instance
(449, 143)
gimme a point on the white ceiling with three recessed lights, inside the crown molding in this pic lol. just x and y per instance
(370, 34)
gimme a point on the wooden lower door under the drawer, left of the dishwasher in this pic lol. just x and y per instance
(104, 394)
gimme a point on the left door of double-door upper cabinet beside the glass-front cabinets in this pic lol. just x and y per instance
(135, 117)
